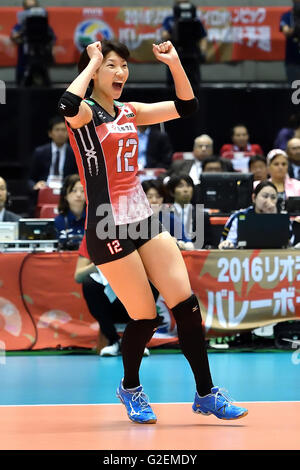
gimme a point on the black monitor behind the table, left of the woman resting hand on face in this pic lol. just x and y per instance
(225, 191)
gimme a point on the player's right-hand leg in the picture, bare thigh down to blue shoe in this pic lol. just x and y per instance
(166, 269)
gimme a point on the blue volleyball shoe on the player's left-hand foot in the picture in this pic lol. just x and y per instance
(137, 405)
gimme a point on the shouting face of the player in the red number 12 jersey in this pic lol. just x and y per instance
(112, 75)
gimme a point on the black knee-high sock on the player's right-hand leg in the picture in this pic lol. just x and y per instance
(192, 342)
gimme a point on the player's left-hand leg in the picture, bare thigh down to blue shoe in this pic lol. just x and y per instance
(128, 279)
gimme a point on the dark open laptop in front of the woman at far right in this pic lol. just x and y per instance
(263, 230)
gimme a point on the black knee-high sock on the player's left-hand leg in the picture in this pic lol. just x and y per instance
(136, 335)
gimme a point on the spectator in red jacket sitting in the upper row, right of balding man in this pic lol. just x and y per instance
(240, 150)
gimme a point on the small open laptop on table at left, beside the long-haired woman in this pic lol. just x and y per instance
(37, 229)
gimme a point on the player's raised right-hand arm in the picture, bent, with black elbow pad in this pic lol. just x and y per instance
(185, 104)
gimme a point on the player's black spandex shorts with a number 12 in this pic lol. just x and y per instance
(116, 241)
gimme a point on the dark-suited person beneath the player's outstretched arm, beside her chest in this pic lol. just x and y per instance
(155, 149)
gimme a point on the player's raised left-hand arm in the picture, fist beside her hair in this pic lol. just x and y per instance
(71, 104)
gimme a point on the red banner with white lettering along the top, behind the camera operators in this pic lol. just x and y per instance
(234, 33)
